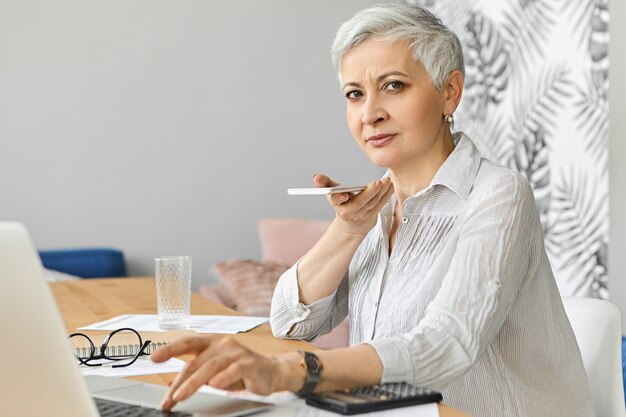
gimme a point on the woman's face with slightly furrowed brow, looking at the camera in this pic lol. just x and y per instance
(393, 109)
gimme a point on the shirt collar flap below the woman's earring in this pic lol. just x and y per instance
(459, 169)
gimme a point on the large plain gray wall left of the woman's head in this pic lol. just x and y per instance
(169, 127)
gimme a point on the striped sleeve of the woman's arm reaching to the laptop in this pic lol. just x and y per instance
(488, 268)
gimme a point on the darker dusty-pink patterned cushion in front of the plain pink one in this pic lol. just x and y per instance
(251, 284)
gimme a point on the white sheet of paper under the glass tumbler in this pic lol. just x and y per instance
(199, 324)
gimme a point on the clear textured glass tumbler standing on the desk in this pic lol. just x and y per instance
(173, 280)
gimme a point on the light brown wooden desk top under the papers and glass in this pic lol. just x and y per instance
(87, 301)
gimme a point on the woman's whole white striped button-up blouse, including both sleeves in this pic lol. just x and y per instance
(466, 303)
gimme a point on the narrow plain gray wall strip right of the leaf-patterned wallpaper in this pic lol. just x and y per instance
(617, 154)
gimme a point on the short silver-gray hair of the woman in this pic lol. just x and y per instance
(432, 43)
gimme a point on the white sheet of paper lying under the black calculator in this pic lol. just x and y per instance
(289, 405)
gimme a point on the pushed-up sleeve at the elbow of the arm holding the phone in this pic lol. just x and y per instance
(311, 320)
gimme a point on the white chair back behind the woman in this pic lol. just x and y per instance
(597, 325)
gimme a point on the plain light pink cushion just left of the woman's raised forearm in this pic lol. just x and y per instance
(287, 240)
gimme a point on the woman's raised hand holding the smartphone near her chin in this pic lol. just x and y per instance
(357, 214)
